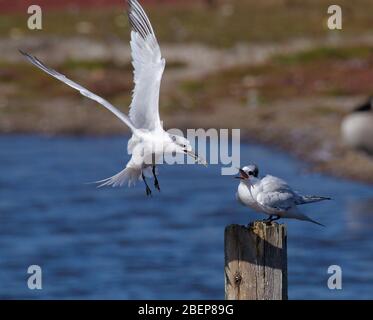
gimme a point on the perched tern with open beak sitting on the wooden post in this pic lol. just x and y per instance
(271, 195)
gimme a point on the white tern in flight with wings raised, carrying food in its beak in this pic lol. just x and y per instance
(149, 141)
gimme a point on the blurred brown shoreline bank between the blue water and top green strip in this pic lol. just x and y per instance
(291, 96)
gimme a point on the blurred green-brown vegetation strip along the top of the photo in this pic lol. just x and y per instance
(221, 26)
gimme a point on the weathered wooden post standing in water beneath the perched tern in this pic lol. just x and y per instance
(256, 262)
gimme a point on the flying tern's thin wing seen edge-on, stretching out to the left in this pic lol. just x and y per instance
(81, 89)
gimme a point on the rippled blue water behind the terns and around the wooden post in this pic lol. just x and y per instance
(116, 243)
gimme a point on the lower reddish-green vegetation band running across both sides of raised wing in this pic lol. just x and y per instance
(324, 71)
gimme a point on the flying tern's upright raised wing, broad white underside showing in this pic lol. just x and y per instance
(148, 69)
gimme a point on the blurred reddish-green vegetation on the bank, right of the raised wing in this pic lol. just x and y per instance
(325, 71)
